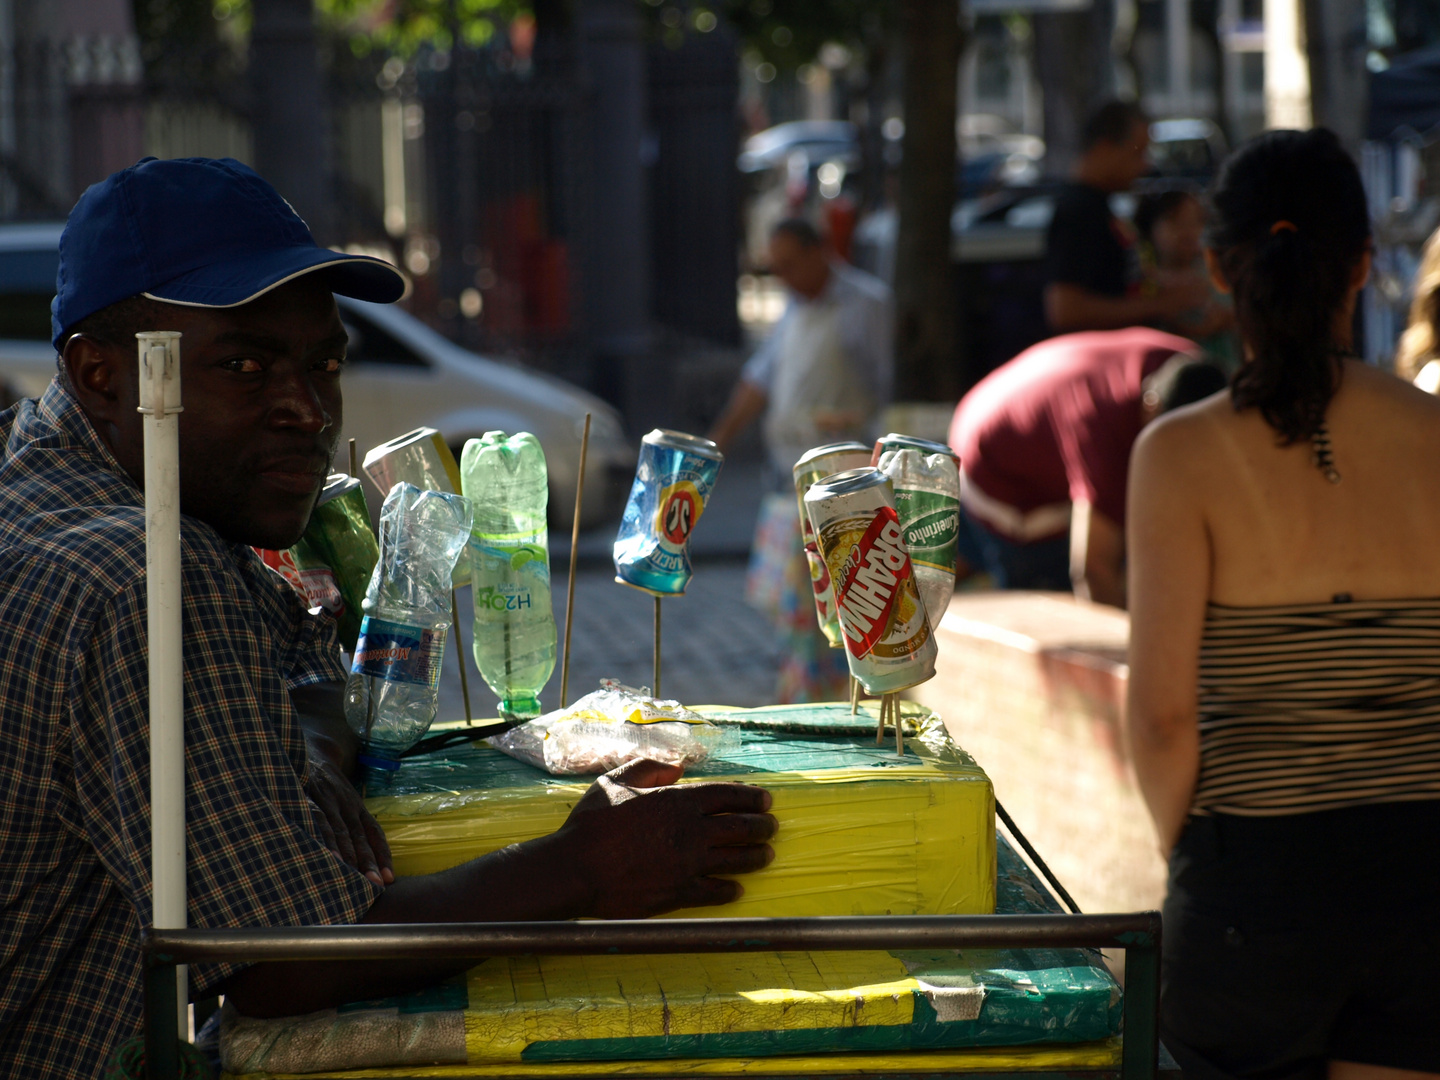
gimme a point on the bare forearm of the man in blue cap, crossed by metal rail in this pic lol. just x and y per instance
(536, 881)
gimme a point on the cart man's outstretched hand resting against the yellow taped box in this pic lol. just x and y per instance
(646, 846)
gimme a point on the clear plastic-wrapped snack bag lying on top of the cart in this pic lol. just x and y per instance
(610, 728)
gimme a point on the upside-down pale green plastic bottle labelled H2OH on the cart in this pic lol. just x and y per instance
(505, 479)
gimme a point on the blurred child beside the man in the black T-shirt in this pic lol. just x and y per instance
(1171, 227)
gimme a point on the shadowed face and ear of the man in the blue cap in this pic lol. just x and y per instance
(263, 411)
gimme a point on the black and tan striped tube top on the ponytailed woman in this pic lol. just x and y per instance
(1318, 706)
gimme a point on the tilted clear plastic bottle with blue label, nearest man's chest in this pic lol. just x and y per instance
(392, 692)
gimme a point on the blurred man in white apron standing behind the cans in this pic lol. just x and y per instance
(823, 377)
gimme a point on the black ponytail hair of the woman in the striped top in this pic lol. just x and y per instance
(1290, 222)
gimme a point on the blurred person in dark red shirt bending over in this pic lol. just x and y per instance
(1045, 446)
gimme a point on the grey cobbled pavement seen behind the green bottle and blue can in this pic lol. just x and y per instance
(716, 650)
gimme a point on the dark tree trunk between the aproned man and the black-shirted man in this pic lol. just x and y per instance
(927, 361)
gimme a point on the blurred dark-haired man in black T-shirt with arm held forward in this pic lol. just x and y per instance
(1094, 269)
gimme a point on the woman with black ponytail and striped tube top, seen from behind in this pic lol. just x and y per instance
(1285, 657)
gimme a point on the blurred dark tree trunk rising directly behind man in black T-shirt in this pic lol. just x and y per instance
(1075, 64)
